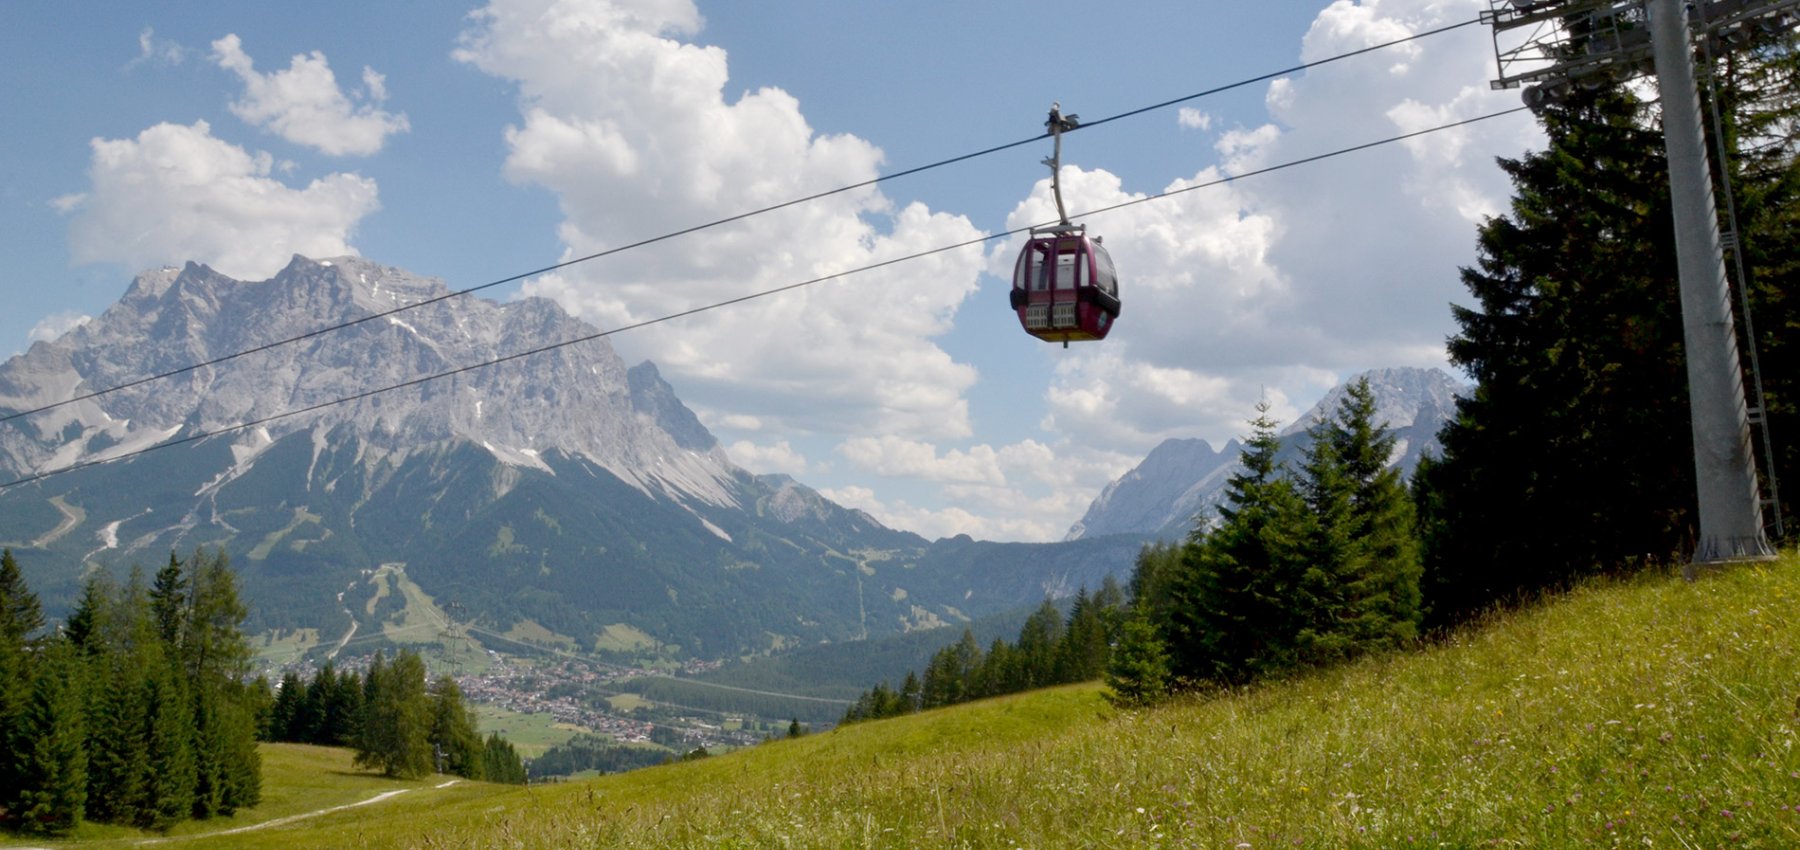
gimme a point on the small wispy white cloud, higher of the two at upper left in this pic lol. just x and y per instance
(307, 107)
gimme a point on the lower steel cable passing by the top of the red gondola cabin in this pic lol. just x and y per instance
(683, 314)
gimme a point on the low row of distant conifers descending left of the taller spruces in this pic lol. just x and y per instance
(1050, 651)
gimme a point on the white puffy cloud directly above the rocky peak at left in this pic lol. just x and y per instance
(179, 194)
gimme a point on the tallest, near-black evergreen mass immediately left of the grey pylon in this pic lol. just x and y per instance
(1574, 453)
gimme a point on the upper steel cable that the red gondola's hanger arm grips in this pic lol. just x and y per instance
(741, 217)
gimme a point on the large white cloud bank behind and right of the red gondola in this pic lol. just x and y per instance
(1279, 285)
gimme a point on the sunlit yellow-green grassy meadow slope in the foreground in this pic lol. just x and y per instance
(1641, 714)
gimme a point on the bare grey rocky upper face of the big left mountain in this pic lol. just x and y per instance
(579, 399)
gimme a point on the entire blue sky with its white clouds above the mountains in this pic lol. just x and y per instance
(476, 141)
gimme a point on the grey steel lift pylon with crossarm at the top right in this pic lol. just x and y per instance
(1554, 46)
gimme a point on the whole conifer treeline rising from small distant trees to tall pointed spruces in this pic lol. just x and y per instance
(1304, 568)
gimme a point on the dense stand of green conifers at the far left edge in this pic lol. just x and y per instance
(138, 712)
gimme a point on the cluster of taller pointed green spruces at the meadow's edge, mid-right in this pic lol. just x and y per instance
(1304, 568)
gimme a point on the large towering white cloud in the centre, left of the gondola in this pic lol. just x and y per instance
(627, 122)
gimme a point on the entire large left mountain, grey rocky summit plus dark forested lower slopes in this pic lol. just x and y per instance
(559, 489)
